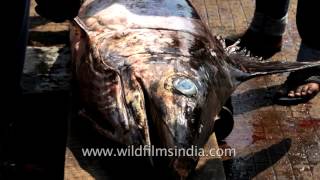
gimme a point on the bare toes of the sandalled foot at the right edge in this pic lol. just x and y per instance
(304, 90)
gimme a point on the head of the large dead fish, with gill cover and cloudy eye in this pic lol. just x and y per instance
(167, 99)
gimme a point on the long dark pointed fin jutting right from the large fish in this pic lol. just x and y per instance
(246, 67)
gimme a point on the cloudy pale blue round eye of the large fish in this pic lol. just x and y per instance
(185, 86)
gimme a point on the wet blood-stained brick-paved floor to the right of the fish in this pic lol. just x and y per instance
(271, 141)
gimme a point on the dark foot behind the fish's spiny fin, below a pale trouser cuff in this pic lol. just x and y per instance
(257, 43)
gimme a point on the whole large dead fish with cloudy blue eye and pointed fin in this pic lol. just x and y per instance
(150, 73)
